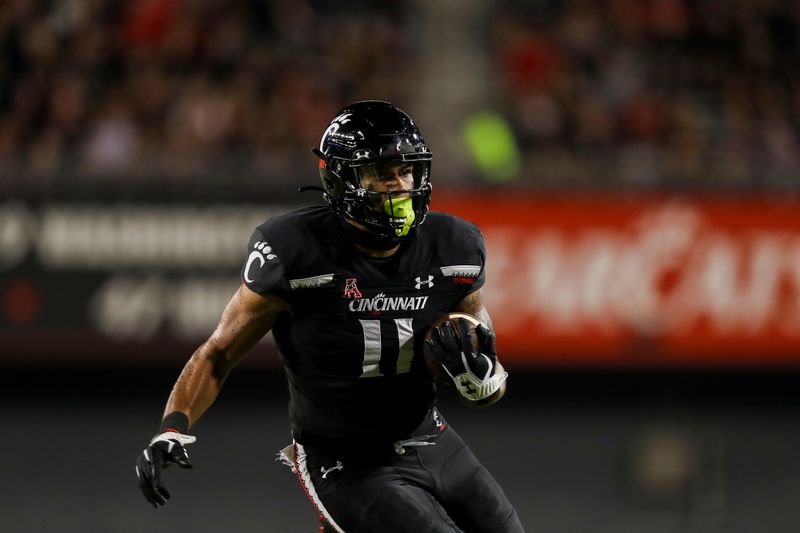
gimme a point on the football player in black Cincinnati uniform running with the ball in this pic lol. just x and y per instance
(350, 290)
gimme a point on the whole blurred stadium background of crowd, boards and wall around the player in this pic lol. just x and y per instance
(635, 168)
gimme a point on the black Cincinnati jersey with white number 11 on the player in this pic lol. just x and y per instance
(352, 344)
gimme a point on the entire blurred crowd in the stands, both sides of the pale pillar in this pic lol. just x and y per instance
(621, 92)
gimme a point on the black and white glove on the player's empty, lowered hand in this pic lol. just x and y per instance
(165, 449)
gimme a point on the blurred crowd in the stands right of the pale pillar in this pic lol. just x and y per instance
(686, 93)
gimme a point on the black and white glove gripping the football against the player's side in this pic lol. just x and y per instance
(472, 370)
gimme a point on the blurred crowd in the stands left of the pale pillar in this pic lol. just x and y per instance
(184, 88)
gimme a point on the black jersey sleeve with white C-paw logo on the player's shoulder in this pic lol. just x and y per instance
(263, 271)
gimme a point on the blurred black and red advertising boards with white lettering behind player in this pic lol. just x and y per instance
(572, 281)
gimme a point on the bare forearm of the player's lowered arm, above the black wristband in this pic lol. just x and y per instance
(198, 384)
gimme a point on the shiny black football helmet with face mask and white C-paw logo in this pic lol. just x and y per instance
(370, 133)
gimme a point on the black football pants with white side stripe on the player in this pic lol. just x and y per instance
(409, 489)
